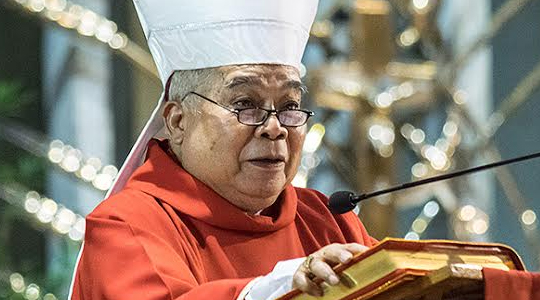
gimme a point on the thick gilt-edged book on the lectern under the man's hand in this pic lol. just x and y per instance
(395, 262)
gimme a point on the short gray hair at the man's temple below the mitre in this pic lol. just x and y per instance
(200, 80)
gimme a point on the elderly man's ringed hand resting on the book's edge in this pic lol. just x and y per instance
(319, 264)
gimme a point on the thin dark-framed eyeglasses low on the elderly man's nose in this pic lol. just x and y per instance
(257, 116)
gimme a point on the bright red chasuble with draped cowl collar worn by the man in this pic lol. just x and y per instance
(169, 236)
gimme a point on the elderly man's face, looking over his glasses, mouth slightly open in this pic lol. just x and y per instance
(247, 165)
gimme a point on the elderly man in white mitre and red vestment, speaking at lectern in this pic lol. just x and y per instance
(211, 213)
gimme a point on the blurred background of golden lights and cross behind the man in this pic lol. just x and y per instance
(403, 90)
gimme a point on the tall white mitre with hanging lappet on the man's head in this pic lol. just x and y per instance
(195, 34)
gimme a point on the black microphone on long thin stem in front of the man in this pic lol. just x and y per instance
(343, 201)
